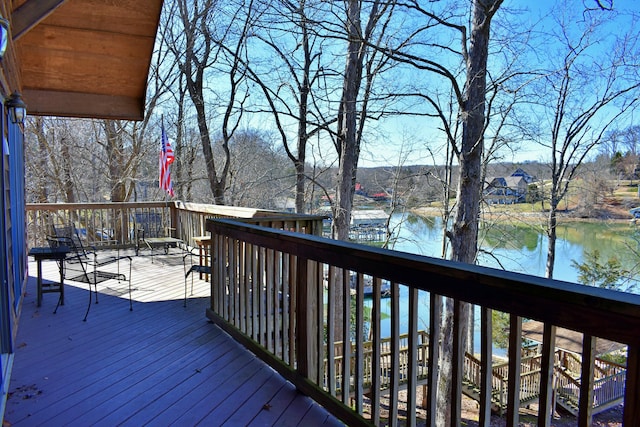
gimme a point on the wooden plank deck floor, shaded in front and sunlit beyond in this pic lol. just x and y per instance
(160, 364)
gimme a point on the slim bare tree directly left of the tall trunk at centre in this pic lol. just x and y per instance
(291, 78)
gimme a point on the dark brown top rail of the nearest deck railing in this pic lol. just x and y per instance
(594, 311)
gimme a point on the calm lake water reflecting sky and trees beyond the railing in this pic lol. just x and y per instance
(520, 248)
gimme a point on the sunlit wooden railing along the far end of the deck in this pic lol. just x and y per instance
(110, 225)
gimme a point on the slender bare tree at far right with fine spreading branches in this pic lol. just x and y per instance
(583, 99)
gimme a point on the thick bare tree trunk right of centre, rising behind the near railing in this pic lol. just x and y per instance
(470, 103)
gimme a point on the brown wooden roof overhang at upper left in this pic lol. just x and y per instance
(83, 58)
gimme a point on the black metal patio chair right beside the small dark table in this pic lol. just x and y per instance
(83, 263)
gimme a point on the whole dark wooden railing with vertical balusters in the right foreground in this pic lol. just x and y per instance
(275, 291)
